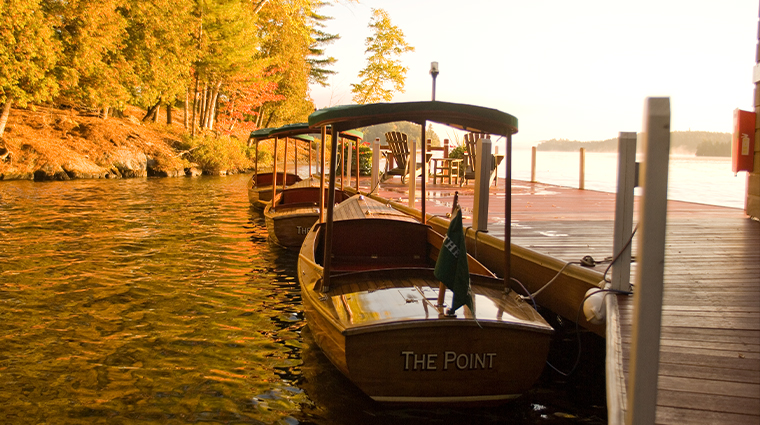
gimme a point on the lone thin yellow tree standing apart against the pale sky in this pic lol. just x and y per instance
(384, 47)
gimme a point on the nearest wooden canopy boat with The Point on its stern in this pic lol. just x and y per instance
(371, 298)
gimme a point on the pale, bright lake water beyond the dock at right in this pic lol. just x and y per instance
(706, 180)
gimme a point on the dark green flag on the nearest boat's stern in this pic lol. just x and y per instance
(451, 267)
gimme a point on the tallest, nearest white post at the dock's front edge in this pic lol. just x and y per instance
(647, 310)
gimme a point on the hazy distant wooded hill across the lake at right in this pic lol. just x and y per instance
(700, 143)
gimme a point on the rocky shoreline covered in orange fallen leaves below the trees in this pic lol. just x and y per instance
(54, 144)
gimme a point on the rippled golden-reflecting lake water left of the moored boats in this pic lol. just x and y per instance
(160, 301)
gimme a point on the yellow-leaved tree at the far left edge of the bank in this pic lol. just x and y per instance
(28, 52)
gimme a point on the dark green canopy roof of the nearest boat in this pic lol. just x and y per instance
(465, 117)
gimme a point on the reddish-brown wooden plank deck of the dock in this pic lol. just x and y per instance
(710, 339)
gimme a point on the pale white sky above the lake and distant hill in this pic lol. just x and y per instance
(577, 70)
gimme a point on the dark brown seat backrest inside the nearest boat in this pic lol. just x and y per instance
(368, 244)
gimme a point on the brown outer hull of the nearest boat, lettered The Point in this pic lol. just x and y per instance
(444, 362)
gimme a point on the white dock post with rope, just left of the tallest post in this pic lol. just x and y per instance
(621, 269)
